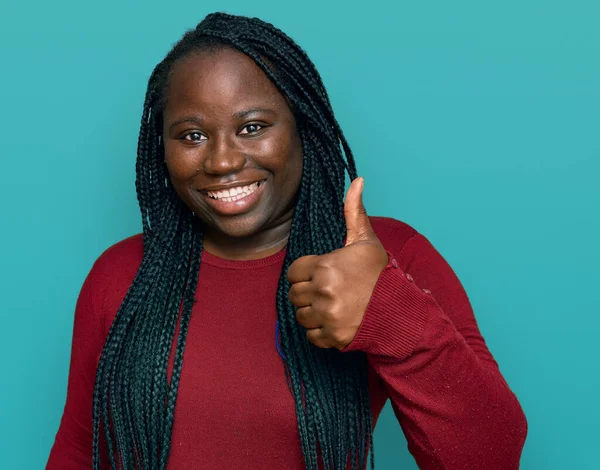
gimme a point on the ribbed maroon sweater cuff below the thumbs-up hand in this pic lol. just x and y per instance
(395, 317)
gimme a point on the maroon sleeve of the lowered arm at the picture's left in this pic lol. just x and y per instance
(72, 449)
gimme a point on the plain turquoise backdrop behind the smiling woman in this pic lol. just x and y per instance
(476, 122)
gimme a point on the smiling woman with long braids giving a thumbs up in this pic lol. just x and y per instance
(262, 319)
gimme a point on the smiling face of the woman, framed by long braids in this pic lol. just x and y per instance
(231, 145)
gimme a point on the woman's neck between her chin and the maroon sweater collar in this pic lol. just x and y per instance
(260, 245)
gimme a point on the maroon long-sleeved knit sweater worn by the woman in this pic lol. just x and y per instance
(234, 409)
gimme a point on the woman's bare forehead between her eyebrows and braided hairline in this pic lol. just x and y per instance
(220, 80)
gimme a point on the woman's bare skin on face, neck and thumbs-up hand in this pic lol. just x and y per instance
(208, 143)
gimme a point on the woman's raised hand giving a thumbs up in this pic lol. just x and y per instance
(332, 291)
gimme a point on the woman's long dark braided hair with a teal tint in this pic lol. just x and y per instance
(134, 400)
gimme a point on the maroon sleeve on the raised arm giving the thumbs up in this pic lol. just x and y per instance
(421, 337)
